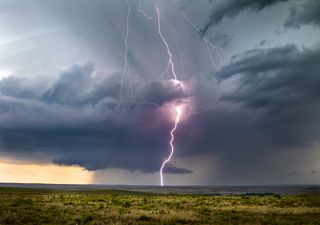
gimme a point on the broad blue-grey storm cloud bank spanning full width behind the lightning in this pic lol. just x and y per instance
(78, 119)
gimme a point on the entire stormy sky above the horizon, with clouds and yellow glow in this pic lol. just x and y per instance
(88, 94)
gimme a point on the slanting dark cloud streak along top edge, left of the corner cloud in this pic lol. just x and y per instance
(231, 8)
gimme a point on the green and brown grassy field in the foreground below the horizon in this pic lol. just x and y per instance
(35, 206)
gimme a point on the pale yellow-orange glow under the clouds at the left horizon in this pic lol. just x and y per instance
(22, 172)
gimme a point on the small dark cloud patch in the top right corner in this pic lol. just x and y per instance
(307, 12)
